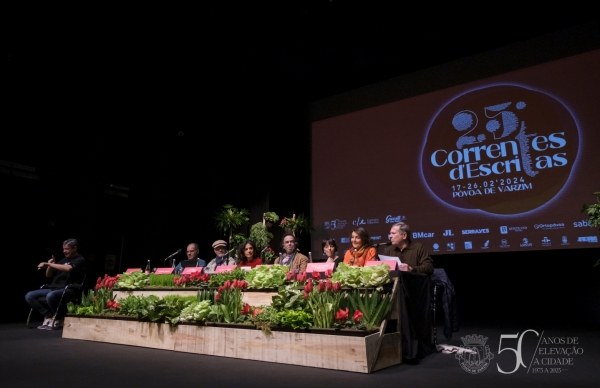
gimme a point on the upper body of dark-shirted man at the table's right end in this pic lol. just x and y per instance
(412, 254)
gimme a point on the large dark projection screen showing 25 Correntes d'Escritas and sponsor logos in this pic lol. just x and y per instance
(501, 164)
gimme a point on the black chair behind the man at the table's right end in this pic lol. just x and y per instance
(444, 295)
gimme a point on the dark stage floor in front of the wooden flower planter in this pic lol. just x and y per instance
(36, 358)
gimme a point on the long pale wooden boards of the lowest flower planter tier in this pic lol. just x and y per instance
(349, 353)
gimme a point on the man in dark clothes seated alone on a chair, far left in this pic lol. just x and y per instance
(67, 271)
